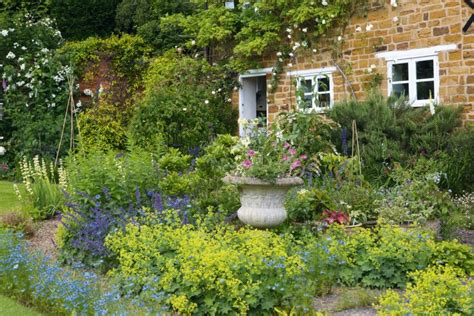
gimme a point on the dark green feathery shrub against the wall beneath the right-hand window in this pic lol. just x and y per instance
(391, 131)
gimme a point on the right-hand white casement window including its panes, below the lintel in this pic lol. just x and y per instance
(416, 78)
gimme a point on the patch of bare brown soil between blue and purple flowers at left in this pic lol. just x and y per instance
(43, 238)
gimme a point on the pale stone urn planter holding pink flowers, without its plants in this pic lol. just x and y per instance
(262, 201)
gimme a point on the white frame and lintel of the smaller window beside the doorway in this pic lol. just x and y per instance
(315, 74)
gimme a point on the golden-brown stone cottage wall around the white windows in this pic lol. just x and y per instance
(413, 24)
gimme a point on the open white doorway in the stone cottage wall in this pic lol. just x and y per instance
(253, 99)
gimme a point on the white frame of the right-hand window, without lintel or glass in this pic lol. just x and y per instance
(412, 80)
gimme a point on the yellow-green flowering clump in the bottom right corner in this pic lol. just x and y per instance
(435, 291)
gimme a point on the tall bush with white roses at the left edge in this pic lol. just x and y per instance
(34, 85)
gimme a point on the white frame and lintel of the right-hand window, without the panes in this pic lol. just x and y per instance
(411, 57)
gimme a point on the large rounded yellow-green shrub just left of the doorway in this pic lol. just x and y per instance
(185, 104)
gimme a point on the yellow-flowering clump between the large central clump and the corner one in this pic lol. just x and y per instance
(380, 258)
